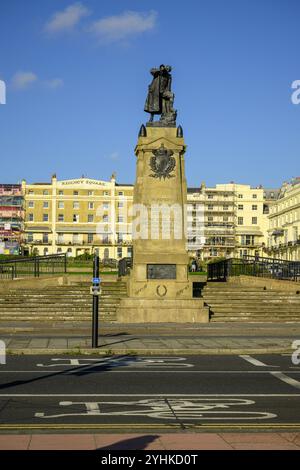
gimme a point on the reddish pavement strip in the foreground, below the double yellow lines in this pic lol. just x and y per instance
(153, 441)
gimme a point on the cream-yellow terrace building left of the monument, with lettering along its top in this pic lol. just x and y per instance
(76, 216)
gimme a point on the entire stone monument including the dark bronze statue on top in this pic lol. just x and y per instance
(158, 286)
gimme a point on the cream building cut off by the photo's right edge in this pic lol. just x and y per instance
(284, 227)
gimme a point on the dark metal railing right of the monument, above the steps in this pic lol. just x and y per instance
(254, 266)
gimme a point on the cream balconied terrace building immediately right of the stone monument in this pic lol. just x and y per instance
(235, 220)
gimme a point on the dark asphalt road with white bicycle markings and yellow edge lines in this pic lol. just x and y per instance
(134, 393)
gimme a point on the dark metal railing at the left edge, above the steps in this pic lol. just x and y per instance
(33, 266)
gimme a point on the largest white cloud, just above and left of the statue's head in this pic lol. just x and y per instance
(120, 27)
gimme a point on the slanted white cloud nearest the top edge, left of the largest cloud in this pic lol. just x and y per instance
(66, 20)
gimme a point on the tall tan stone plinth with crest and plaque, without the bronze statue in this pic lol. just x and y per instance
(158, 286)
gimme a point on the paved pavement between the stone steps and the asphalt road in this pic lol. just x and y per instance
(152, 339)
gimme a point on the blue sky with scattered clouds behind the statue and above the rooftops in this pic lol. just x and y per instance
(77, 75)
